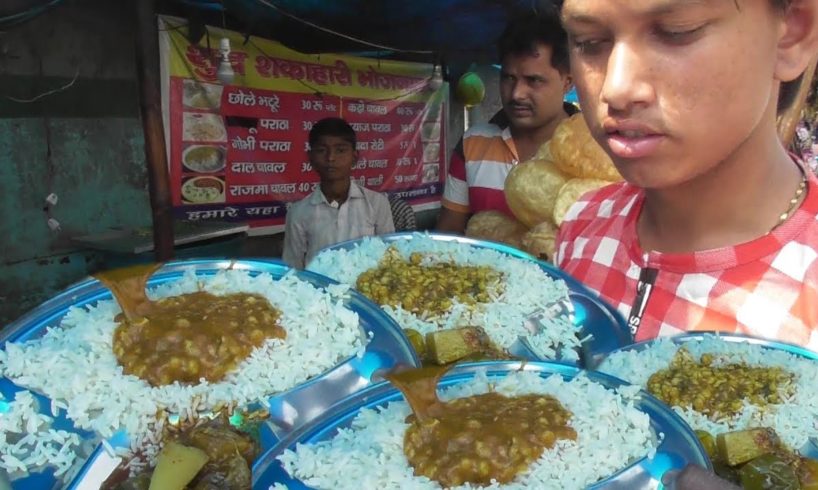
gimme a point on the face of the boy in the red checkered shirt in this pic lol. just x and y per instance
(670, 88)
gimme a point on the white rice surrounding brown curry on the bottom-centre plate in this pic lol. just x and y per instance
(611, 434)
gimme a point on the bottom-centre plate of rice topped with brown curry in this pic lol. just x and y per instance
(497, 424)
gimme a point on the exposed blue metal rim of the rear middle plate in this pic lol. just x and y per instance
(590, 314)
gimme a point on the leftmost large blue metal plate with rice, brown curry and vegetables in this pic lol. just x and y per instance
(95, 388)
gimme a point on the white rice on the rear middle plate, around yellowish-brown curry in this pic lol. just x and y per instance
(526, 289)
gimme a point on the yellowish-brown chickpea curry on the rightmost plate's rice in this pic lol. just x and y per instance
(718, 390)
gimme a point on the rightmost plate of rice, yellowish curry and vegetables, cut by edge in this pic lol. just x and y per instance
(752, 402)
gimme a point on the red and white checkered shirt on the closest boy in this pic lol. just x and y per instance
(767, 287)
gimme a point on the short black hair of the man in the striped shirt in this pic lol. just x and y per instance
(543, 26)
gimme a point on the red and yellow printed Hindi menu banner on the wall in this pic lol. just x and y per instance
(238, 151)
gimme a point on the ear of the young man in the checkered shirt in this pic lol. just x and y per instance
(798, 44)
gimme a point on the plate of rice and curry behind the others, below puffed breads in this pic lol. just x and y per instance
(459, 298)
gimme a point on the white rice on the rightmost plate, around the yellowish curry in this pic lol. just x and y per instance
(795, 420)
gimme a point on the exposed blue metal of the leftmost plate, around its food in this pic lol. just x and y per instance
(387, 347)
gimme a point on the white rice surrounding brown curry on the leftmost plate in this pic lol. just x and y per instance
(74, 363)
